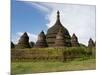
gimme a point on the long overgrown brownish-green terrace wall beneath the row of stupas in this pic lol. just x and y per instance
(52, 54)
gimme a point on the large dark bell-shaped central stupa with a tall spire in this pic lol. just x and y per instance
(53, 31)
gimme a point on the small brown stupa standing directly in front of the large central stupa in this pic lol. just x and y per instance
(60, 39)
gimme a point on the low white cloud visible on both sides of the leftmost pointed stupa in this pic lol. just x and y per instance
(32, 37)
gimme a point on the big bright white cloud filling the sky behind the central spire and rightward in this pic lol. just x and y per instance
(78, 19)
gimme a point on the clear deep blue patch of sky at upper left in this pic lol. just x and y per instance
(24, 17)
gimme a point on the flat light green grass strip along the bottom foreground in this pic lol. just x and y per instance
(42, 66)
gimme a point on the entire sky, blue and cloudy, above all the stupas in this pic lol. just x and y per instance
(33, 17)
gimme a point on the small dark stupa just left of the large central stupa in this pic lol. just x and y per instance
(41, 42)
